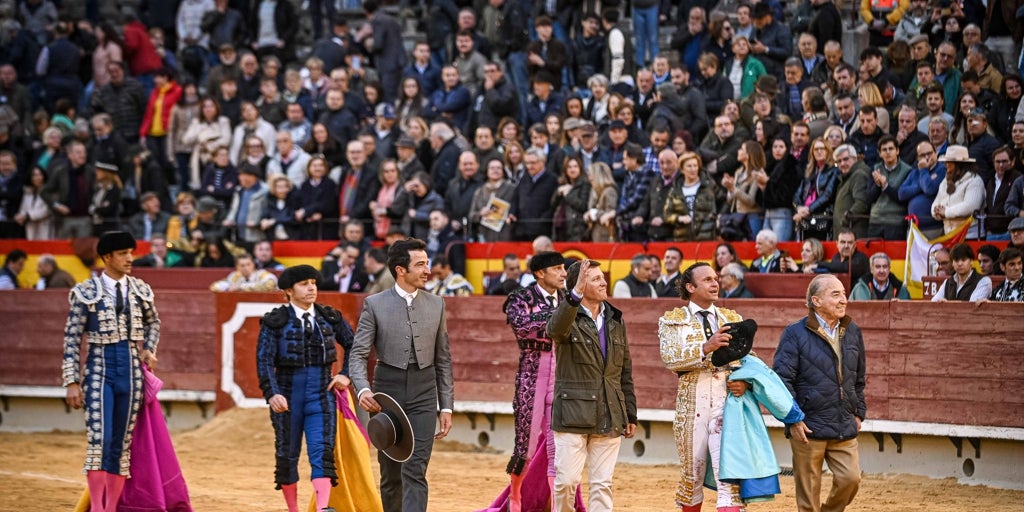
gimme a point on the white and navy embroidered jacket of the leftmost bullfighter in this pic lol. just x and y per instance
(93, 314)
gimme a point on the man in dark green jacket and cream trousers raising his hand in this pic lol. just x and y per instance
(594, 404)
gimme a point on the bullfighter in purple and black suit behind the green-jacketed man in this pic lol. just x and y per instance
(528, 311)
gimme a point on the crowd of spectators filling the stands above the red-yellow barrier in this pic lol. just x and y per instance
(210, 123)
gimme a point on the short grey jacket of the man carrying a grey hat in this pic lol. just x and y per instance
(391, 327)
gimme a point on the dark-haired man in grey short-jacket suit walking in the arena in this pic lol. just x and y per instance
(414, 366)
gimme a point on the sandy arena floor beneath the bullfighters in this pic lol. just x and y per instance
(229, 464)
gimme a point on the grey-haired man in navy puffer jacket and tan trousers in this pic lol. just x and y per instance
(834, 409)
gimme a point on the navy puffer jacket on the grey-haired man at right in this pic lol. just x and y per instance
(807, 364)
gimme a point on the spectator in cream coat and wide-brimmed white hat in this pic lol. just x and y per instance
(961, 194)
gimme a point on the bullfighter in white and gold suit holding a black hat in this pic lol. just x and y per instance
(691, 339)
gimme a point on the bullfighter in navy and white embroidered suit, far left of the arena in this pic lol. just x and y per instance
(116, 314)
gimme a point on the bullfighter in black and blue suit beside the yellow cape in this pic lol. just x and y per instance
(295, 356)
